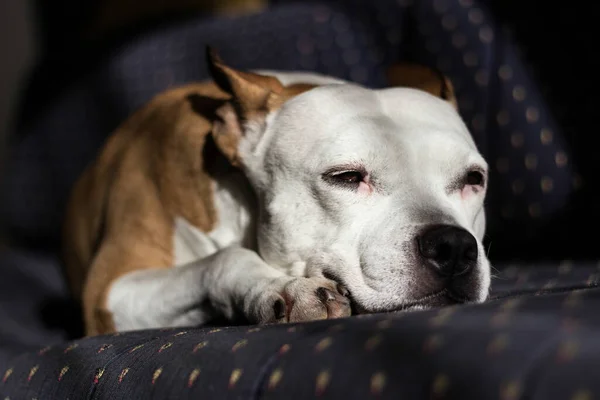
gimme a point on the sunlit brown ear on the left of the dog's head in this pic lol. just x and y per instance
(253, 96)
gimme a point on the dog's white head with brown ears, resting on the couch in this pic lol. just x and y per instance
(381, 190)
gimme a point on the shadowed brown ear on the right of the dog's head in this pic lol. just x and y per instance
(423, 78)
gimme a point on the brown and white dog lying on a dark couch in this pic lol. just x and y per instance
(275, 197)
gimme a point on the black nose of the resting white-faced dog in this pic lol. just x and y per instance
(451, 250)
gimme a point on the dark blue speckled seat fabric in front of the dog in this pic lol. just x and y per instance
(536, 339)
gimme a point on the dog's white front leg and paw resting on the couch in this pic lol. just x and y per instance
(230, 284)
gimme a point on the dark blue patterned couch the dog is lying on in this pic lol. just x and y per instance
(534, 339)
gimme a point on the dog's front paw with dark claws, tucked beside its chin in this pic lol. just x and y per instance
(304, 299)
